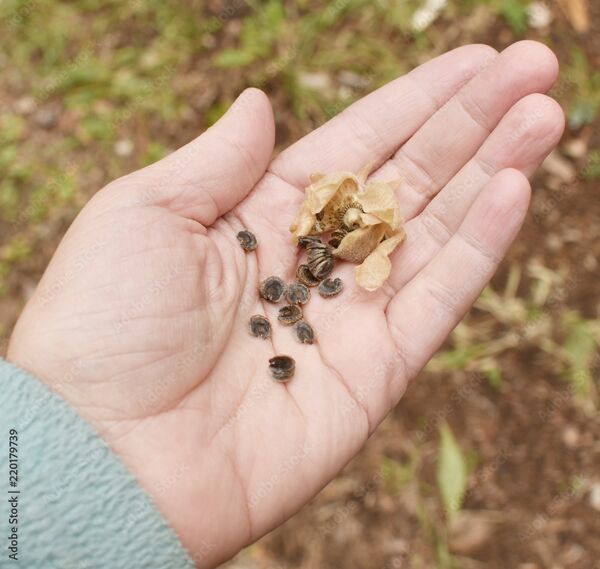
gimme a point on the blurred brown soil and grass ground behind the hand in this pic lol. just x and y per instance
(90, 90)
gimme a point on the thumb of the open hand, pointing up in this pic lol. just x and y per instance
(210, 175)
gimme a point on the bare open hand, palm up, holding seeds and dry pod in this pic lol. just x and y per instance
(140, 321)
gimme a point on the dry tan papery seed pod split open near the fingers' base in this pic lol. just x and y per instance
(363, 222)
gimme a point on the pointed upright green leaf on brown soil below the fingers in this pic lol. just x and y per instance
(452, 472)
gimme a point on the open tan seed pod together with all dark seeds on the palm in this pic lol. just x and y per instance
(364, 225)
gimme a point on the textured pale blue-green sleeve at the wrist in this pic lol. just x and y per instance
(70, 499)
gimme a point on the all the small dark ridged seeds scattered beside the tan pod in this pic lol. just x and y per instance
(313, 273)
